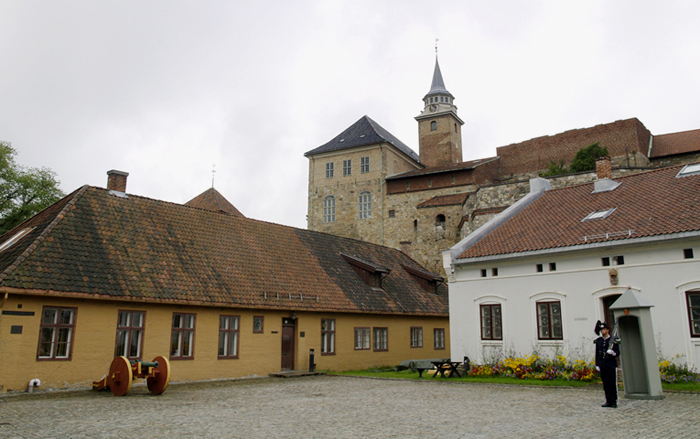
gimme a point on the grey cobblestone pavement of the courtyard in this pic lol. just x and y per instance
(345, 407)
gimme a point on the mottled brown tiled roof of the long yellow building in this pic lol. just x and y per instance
(94, 244)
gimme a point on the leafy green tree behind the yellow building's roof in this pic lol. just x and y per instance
(23, 192)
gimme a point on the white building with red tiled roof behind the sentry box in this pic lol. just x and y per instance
(539, 275)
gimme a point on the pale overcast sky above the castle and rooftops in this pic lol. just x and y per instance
(165, 90)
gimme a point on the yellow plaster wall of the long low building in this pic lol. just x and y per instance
(259, 354)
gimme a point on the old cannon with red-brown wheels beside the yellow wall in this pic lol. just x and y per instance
(123, 371)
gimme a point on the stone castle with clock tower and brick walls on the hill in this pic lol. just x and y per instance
(425, 203)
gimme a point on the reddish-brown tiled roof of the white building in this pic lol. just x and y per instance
(647, 204)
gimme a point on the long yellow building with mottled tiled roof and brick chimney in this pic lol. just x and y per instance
(102, 273)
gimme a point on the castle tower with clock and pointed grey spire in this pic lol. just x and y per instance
(439, 127)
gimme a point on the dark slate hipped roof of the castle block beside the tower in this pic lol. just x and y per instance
(363, 132)
